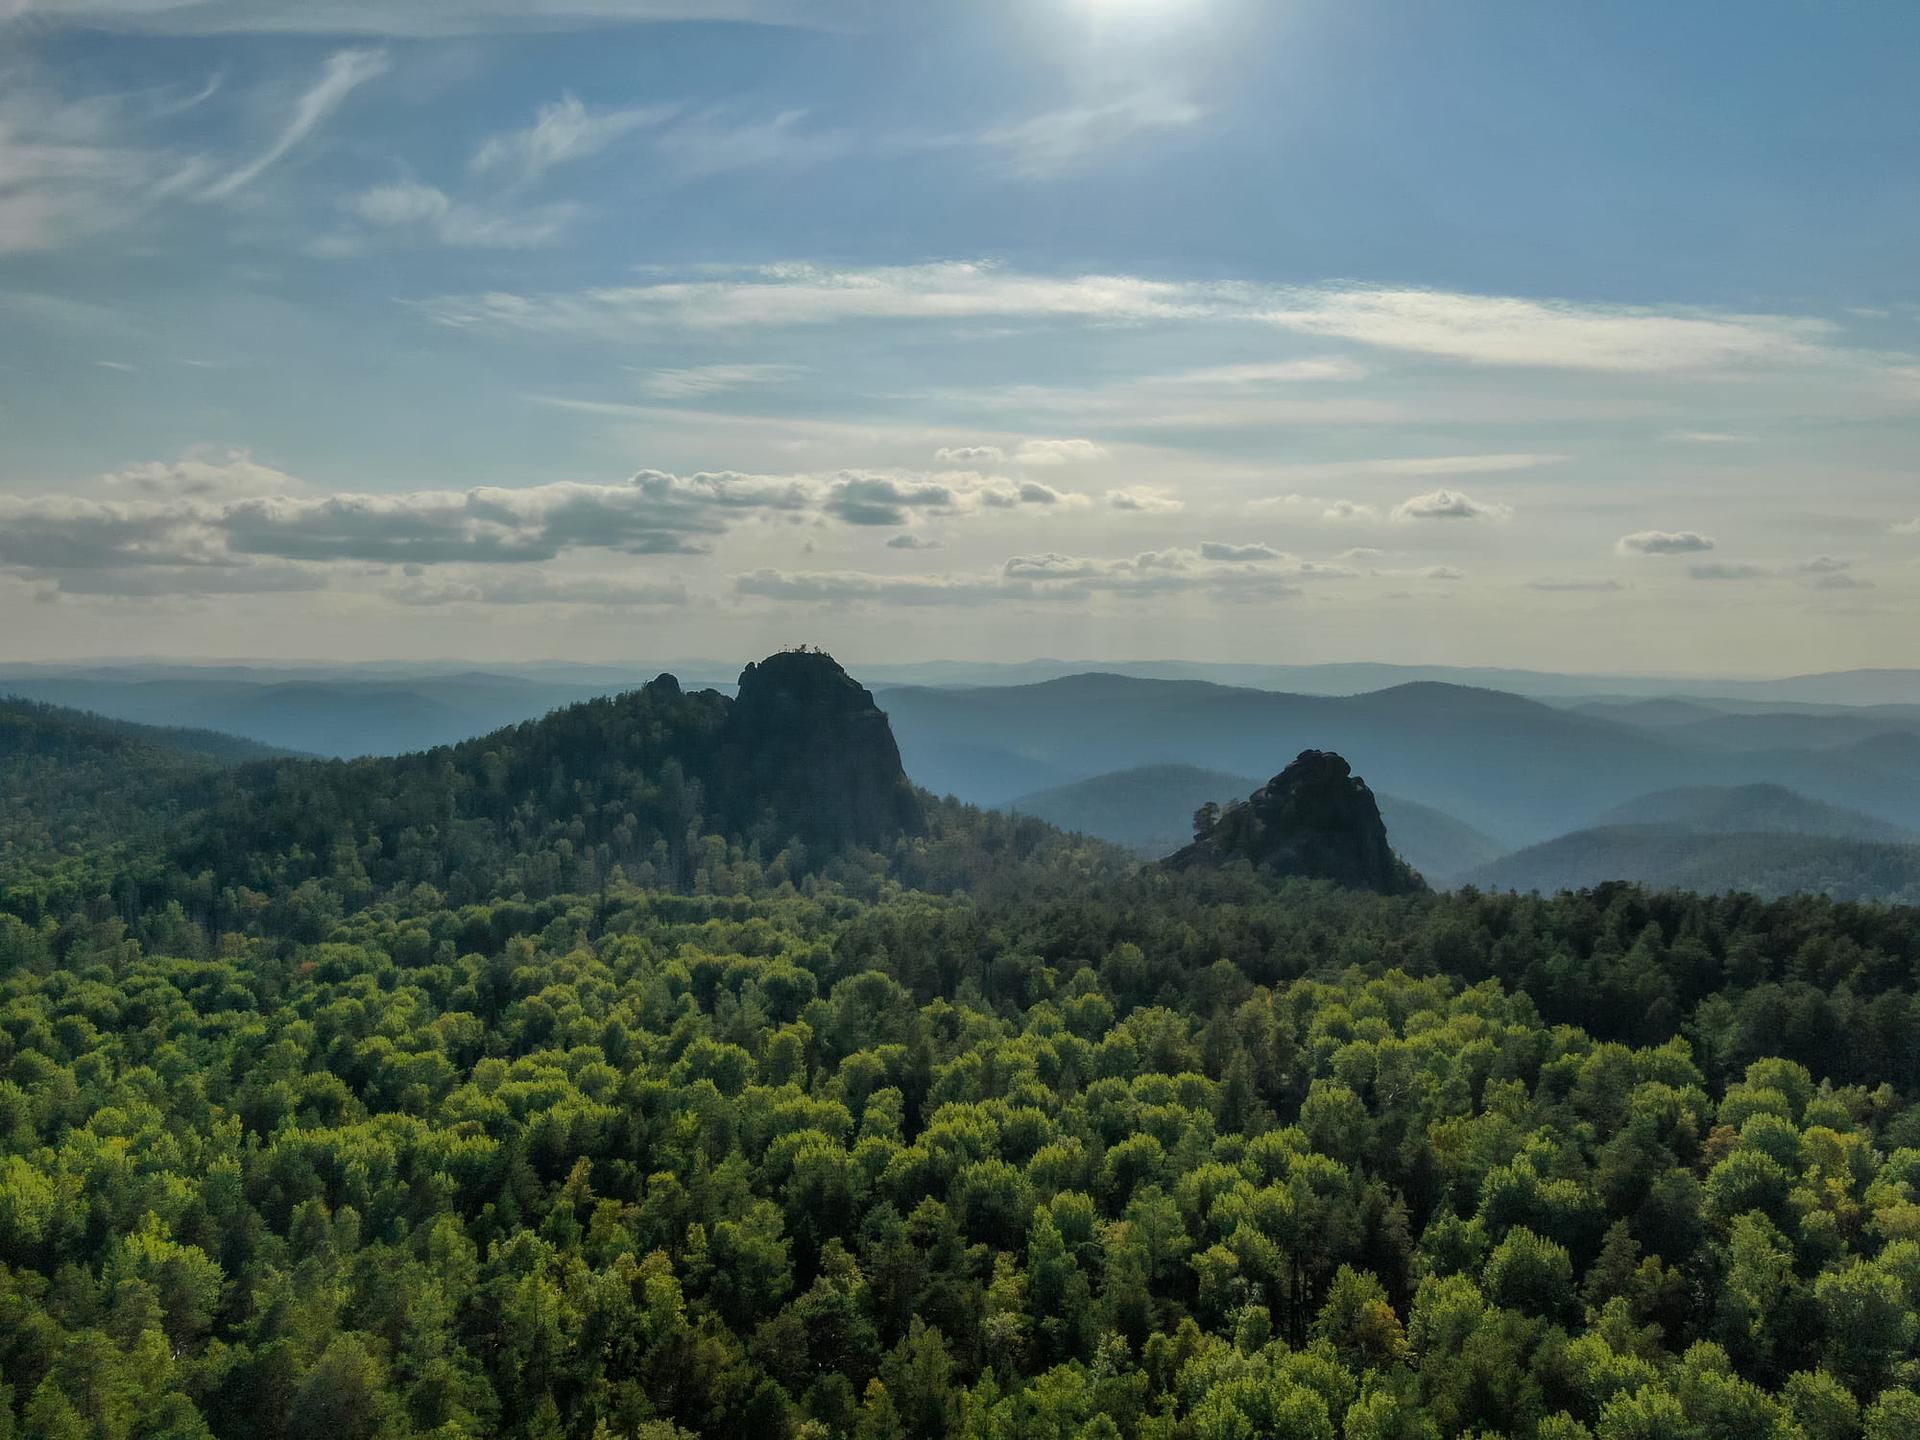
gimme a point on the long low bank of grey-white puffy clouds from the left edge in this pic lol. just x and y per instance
(224, 514)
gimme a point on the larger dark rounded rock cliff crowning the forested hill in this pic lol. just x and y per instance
(805, 746)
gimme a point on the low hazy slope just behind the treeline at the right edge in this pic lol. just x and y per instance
(1681, 859)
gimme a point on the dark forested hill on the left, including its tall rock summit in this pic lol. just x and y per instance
(800, 765)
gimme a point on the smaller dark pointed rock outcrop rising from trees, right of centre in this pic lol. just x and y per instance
(1314, 819)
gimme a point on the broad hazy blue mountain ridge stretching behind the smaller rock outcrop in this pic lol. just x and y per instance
(1514, 769)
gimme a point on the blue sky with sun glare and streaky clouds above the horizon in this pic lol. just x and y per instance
(1489, 333)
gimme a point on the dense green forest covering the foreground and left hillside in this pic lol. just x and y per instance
(556, 1088)
